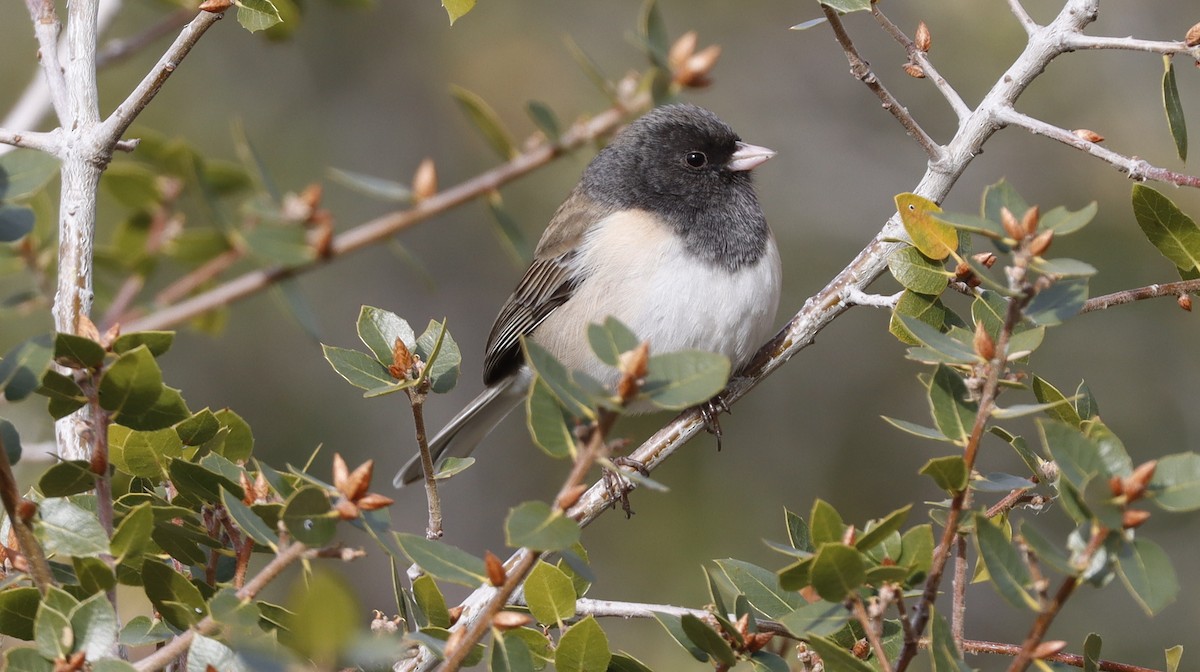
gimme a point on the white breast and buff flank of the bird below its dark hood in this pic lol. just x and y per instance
(640, 273)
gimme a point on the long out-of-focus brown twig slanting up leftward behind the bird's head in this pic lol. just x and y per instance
(382, 229)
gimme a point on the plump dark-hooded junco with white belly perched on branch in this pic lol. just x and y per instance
(664, 232)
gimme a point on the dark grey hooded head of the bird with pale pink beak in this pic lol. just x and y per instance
(687, 166)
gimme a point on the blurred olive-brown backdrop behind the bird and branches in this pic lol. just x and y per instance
(367, 91)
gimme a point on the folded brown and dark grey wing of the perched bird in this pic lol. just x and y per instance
(547, 286)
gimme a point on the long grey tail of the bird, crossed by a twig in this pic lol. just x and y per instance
(466, 430)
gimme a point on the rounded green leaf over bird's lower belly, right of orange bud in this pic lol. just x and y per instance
(682, 380)
